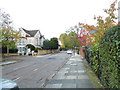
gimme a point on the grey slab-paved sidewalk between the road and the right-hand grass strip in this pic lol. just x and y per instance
(71, 75)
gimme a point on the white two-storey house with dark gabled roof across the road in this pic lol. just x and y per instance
(33, 37)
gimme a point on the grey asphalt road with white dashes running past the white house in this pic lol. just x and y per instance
(34, 71)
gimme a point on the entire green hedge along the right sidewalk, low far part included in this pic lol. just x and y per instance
(104, 58)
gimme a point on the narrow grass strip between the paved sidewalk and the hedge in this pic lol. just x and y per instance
(92, 76)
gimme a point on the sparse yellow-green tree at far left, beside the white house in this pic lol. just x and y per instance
(9, 35)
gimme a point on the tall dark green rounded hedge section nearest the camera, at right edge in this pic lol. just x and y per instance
(110, 58)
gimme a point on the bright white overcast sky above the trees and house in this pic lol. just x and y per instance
(53, 17)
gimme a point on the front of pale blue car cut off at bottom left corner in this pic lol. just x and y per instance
(6, 84)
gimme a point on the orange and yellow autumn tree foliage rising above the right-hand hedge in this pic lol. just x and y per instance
(103, 24)
